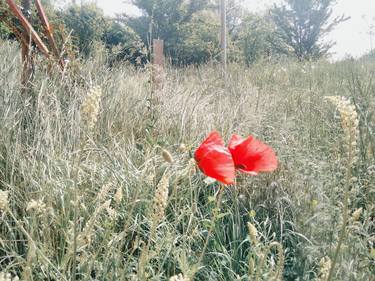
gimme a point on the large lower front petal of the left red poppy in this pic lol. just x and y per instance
(217, 163)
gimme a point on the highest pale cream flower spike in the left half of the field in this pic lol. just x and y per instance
(90, 107)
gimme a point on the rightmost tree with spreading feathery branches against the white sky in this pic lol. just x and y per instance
(302, 24)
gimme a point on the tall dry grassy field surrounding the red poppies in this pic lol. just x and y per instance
(107, 173)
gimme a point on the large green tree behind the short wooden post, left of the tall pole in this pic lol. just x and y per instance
(181, 24)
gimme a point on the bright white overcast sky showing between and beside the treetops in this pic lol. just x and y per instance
(352, 36)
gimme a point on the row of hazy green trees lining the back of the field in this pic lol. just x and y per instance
(190, 29)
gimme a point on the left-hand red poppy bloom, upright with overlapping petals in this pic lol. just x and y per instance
(215, 160)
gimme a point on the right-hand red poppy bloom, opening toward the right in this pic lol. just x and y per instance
(251, 156)
